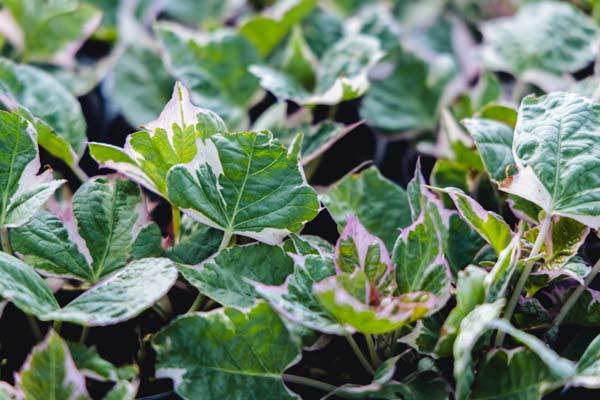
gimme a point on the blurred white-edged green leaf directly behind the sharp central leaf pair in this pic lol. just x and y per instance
(213, 67)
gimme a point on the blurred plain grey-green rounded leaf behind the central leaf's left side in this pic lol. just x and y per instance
(139, 84)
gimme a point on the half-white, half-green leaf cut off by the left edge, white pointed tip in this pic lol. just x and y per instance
(23, 191)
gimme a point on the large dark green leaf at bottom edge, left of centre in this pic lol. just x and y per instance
(227, 353)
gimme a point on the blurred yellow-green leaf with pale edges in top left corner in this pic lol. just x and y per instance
(51, 31)
